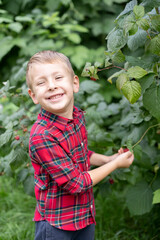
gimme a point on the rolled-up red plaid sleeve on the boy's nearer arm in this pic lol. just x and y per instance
(53, 158)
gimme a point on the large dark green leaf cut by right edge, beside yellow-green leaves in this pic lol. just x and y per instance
(151, 100)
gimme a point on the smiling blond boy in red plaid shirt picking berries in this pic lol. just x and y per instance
(59, 153)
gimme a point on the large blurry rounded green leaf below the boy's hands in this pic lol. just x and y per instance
(139, 198)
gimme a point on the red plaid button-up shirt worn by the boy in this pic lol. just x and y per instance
(60, 158)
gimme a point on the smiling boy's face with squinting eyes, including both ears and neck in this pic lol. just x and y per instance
(53, 87)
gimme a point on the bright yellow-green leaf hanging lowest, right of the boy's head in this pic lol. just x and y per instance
(132, 91)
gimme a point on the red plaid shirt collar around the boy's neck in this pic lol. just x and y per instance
(59, 121)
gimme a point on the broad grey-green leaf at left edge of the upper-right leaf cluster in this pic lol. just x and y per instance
(116, 40)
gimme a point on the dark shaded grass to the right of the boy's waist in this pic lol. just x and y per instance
(115, 223)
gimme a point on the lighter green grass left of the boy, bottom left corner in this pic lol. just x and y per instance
(16, 212)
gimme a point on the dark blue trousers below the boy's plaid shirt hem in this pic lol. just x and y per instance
(44, 231)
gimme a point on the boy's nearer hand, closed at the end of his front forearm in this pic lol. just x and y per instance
(124, 160)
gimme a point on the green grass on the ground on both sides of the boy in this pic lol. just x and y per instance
(113, 220)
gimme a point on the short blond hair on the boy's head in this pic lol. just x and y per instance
(50, 57)
